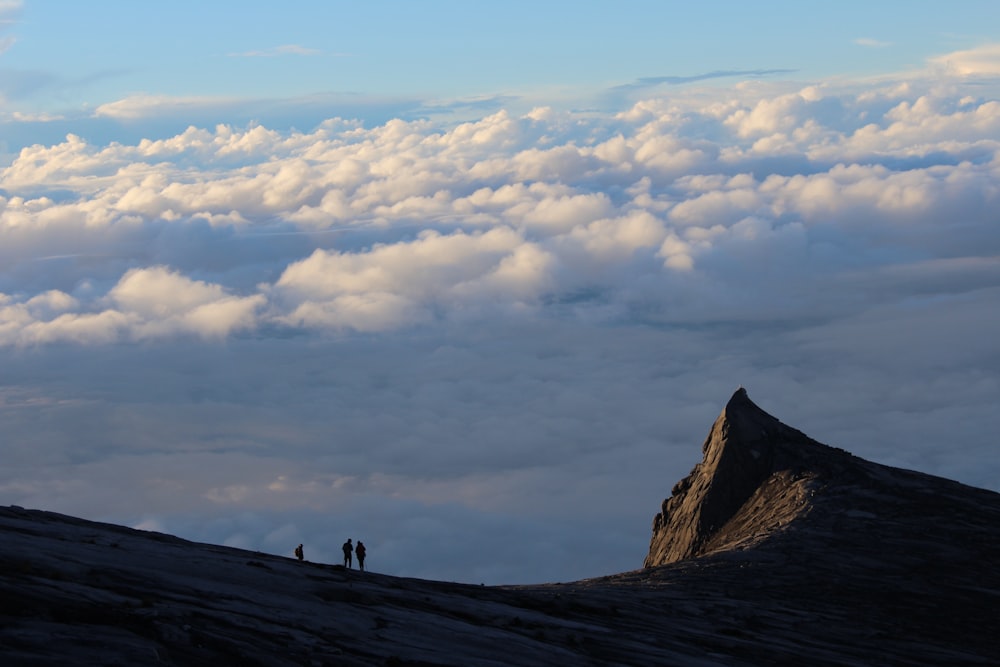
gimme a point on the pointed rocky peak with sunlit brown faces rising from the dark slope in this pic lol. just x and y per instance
(753, 480)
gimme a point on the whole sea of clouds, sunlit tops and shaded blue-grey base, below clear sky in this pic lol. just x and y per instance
(489, 348)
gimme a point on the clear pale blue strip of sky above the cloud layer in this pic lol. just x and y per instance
(69, 58)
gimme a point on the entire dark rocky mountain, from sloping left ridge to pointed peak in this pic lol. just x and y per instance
(775, 550)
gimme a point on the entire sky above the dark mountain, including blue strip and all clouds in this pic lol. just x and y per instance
(470, 282)
